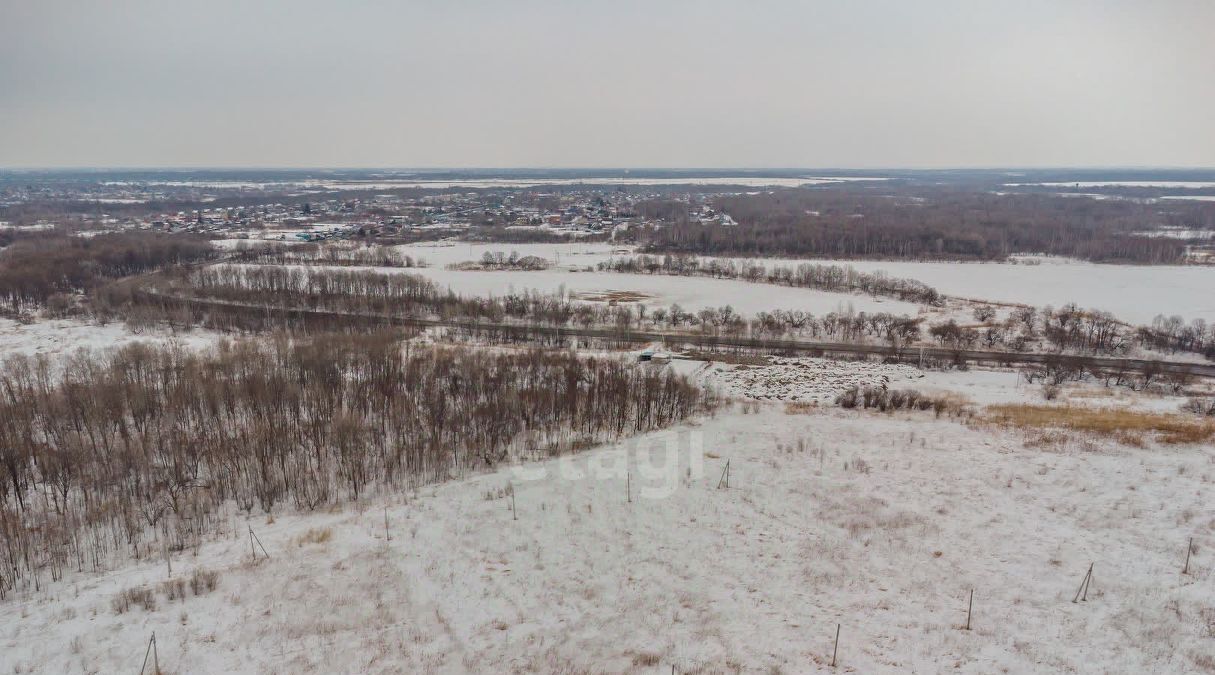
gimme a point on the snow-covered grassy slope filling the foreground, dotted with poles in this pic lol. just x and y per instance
(879, 523)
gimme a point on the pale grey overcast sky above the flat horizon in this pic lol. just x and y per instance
(607, 83)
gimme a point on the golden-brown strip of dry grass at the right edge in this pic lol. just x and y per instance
(1127, 427)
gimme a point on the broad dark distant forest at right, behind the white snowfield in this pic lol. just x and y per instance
(931, 225)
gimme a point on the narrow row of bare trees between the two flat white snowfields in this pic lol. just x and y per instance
(835, 279)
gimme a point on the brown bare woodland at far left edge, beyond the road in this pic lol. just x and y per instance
(35, 270)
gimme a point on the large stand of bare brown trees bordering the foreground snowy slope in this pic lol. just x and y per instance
(137, 450)
